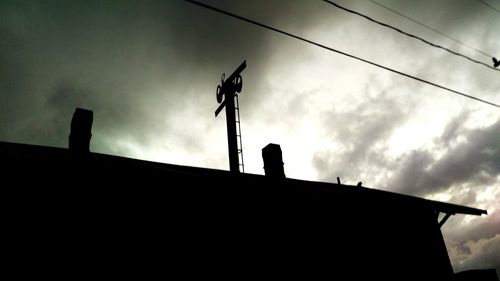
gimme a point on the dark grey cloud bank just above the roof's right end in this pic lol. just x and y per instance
(475, 160)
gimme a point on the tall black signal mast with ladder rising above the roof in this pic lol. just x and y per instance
(228, 89)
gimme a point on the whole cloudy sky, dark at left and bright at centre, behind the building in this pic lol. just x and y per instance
(149, 71)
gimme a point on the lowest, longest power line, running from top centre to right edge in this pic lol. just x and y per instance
(336, 51)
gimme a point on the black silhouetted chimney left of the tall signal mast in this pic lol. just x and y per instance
(80, 134)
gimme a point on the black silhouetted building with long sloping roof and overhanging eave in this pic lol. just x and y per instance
(103, 214)
